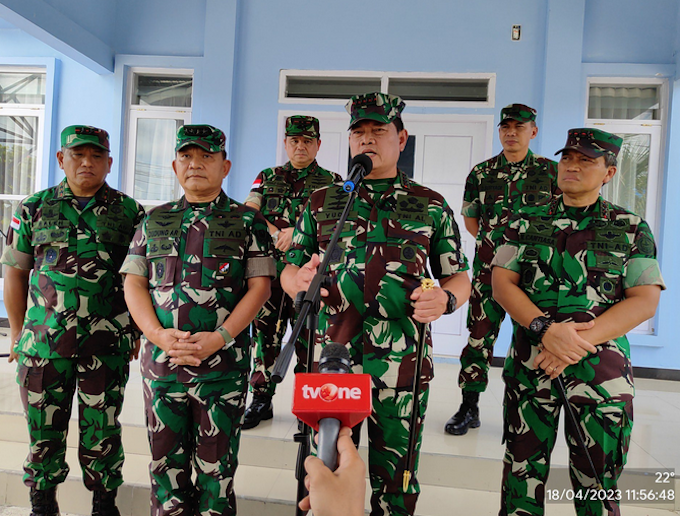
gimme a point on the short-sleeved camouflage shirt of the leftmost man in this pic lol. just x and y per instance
(76, 306)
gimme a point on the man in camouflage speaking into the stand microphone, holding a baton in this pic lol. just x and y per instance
(375, 303)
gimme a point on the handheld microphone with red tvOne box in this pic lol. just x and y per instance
(330, 399)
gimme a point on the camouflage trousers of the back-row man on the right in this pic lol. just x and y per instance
(485, 316)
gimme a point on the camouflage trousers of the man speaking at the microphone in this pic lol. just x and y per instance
(388, 431)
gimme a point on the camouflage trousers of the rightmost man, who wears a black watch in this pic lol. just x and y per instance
(531, 417)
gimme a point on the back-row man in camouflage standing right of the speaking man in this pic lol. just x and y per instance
(494, 190)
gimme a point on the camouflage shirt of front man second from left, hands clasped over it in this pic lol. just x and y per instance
(198, 259)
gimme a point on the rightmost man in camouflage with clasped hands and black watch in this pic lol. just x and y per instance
(575, 276)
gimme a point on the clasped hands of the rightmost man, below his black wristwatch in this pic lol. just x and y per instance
(562, 346)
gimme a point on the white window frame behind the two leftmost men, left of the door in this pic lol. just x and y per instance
(136, 112)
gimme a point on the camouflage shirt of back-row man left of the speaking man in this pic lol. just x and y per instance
(282, 192)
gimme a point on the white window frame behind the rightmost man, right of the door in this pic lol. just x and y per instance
(657, 131)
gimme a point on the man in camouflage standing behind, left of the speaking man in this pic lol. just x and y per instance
(280, 193)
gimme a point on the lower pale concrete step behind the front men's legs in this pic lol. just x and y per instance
(265, 483)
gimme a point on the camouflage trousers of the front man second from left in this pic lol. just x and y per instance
(199, 424)
